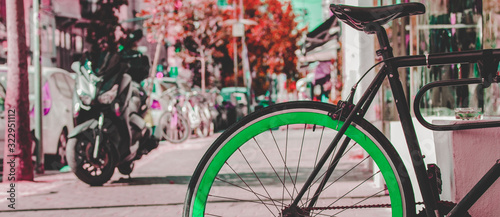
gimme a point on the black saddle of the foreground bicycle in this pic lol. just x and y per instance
(363, 18)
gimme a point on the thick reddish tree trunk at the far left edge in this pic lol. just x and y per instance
(17, 153)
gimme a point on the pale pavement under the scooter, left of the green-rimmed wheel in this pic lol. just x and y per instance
(157, 188)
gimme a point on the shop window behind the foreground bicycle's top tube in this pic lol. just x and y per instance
(450, 26)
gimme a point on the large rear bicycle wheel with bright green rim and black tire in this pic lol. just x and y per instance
(258, 166)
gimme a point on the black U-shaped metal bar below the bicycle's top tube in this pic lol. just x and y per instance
(458, 126)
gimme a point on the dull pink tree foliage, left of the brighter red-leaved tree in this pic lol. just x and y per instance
(195, 22)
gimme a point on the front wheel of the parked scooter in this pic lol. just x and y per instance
(93, 171)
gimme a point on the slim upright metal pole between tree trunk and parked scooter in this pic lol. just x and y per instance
(38, 87)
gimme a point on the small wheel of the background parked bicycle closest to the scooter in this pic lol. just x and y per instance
(178, 135)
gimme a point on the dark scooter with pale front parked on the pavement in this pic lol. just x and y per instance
(109, 108)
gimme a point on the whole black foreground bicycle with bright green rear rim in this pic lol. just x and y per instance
(284, 159)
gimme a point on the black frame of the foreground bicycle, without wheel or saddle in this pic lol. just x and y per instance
(488, 59)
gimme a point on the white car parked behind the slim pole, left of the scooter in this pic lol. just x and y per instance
(57, 89)
